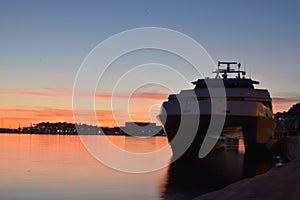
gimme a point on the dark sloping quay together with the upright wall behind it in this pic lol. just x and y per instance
(280, 182)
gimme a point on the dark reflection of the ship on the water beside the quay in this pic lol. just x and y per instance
(190, 178)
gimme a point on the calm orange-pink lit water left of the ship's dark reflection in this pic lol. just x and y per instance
(59, 167)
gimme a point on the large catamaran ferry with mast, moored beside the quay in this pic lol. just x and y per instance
(246, 107)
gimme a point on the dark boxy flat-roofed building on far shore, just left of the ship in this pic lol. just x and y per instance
(141, 129)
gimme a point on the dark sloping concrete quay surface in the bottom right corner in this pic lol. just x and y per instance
(281, 182)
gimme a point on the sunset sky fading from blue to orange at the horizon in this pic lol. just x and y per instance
(44, 43)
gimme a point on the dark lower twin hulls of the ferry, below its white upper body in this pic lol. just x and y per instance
(257, 131)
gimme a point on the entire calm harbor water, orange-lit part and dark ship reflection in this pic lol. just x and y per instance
(59, 167)
